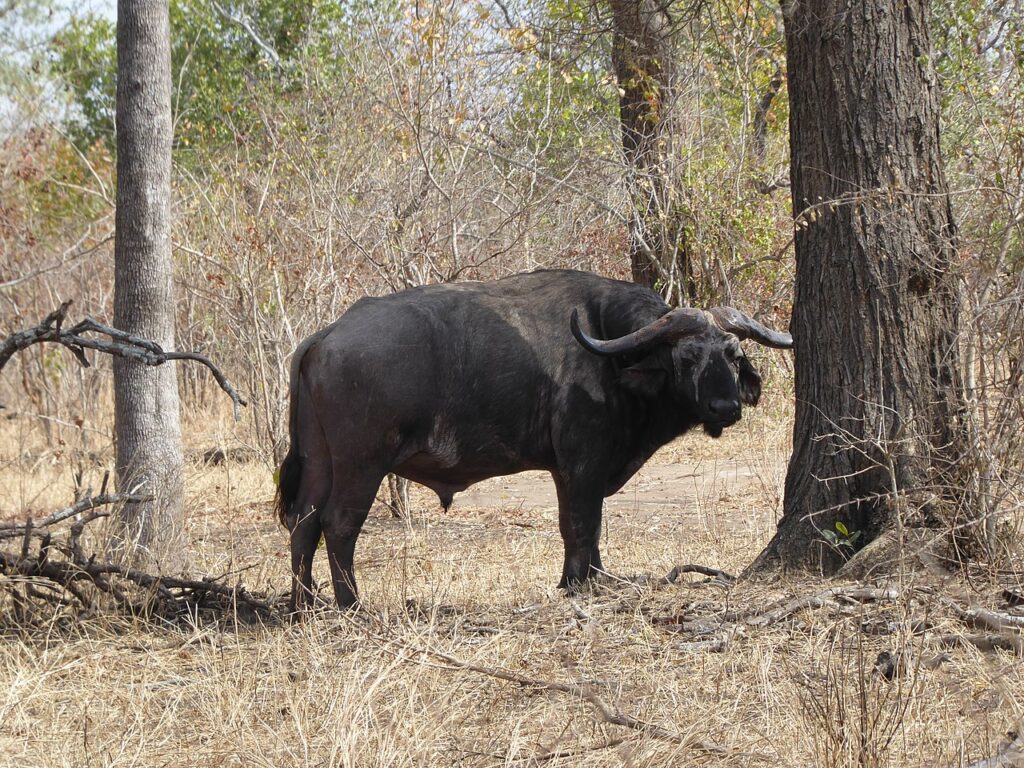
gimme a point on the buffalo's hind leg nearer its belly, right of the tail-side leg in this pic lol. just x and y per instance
(343, 521)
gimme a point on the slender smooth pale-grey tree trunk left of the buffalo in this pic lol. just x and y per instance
(148, 433)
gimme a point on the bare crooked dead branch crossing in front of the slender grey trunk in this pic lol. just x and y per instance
(120, 346)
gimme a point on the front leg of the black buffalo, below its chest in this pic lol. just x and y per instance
(580, 525)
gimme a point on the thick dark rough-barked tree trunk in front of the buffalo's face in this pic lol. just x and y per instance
(876, 316)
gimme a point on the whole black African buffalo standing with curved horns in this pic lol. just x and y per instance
(451, 385)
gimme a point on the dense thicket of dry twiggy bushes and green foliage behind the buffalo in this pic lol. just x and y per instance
(338, 150)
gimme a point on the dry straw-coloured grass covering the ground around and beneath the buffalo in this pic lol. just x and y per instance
(465, 654)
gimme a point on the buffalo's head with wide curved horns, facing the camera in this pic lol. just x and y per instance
(694, 358)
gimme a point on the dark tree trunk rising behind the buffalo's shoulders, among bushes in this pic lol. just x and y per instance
(644, 57)
